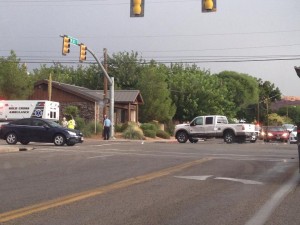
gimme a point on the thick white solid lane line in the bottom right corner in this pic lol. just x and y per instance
(268, 208)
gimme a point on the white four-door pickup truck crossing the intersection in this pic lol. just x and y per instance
(215, 126)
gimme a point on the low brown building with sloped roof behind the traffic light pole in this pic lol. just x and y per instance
(91, 103)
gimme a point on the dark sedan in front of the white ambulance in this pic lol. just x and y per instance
(39, 130)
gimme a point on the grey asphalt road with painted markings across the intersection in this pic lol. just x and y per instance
(116, 182)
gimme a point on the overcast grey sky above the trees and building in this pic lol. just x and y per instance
(256, 37)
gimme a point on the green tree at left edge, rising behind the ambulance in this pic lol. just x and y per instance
(15, 83)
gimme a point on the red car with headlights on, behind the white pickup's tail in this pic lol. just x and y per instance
(275, 133)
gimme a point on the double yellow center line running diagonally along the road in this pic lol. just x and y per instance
(14, 214)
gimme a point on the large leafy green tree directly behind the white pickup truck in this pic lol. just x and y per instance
(195, 92)
